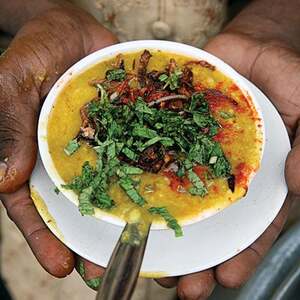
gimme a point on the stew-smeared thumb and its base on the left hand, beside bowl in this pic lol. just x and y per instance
(38, 55)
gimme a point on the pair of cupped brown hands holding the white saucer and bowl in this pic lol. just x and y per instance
(44, 48)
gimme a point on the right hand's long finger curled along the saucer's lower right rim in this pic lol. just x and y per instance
(236, 271)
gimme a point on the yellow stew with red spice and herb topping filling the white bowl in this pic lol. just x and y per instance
(158, 132)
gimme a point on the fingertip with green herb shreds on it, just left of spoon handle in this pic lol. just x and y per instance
(91, 273)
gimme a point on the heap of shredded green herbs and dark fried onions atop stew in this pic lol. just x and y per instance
(133, 133)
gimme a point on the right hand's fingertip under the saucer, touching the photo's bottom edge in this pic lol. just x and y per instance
(197, 286)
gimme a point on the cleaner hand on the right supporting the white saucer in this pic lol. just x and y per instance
(275, 69)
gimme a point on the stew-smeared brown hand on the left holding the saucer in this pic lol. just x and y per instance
(41, 51)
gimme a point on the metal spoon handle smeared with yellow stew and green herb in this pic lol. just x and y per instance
(124, 265)
